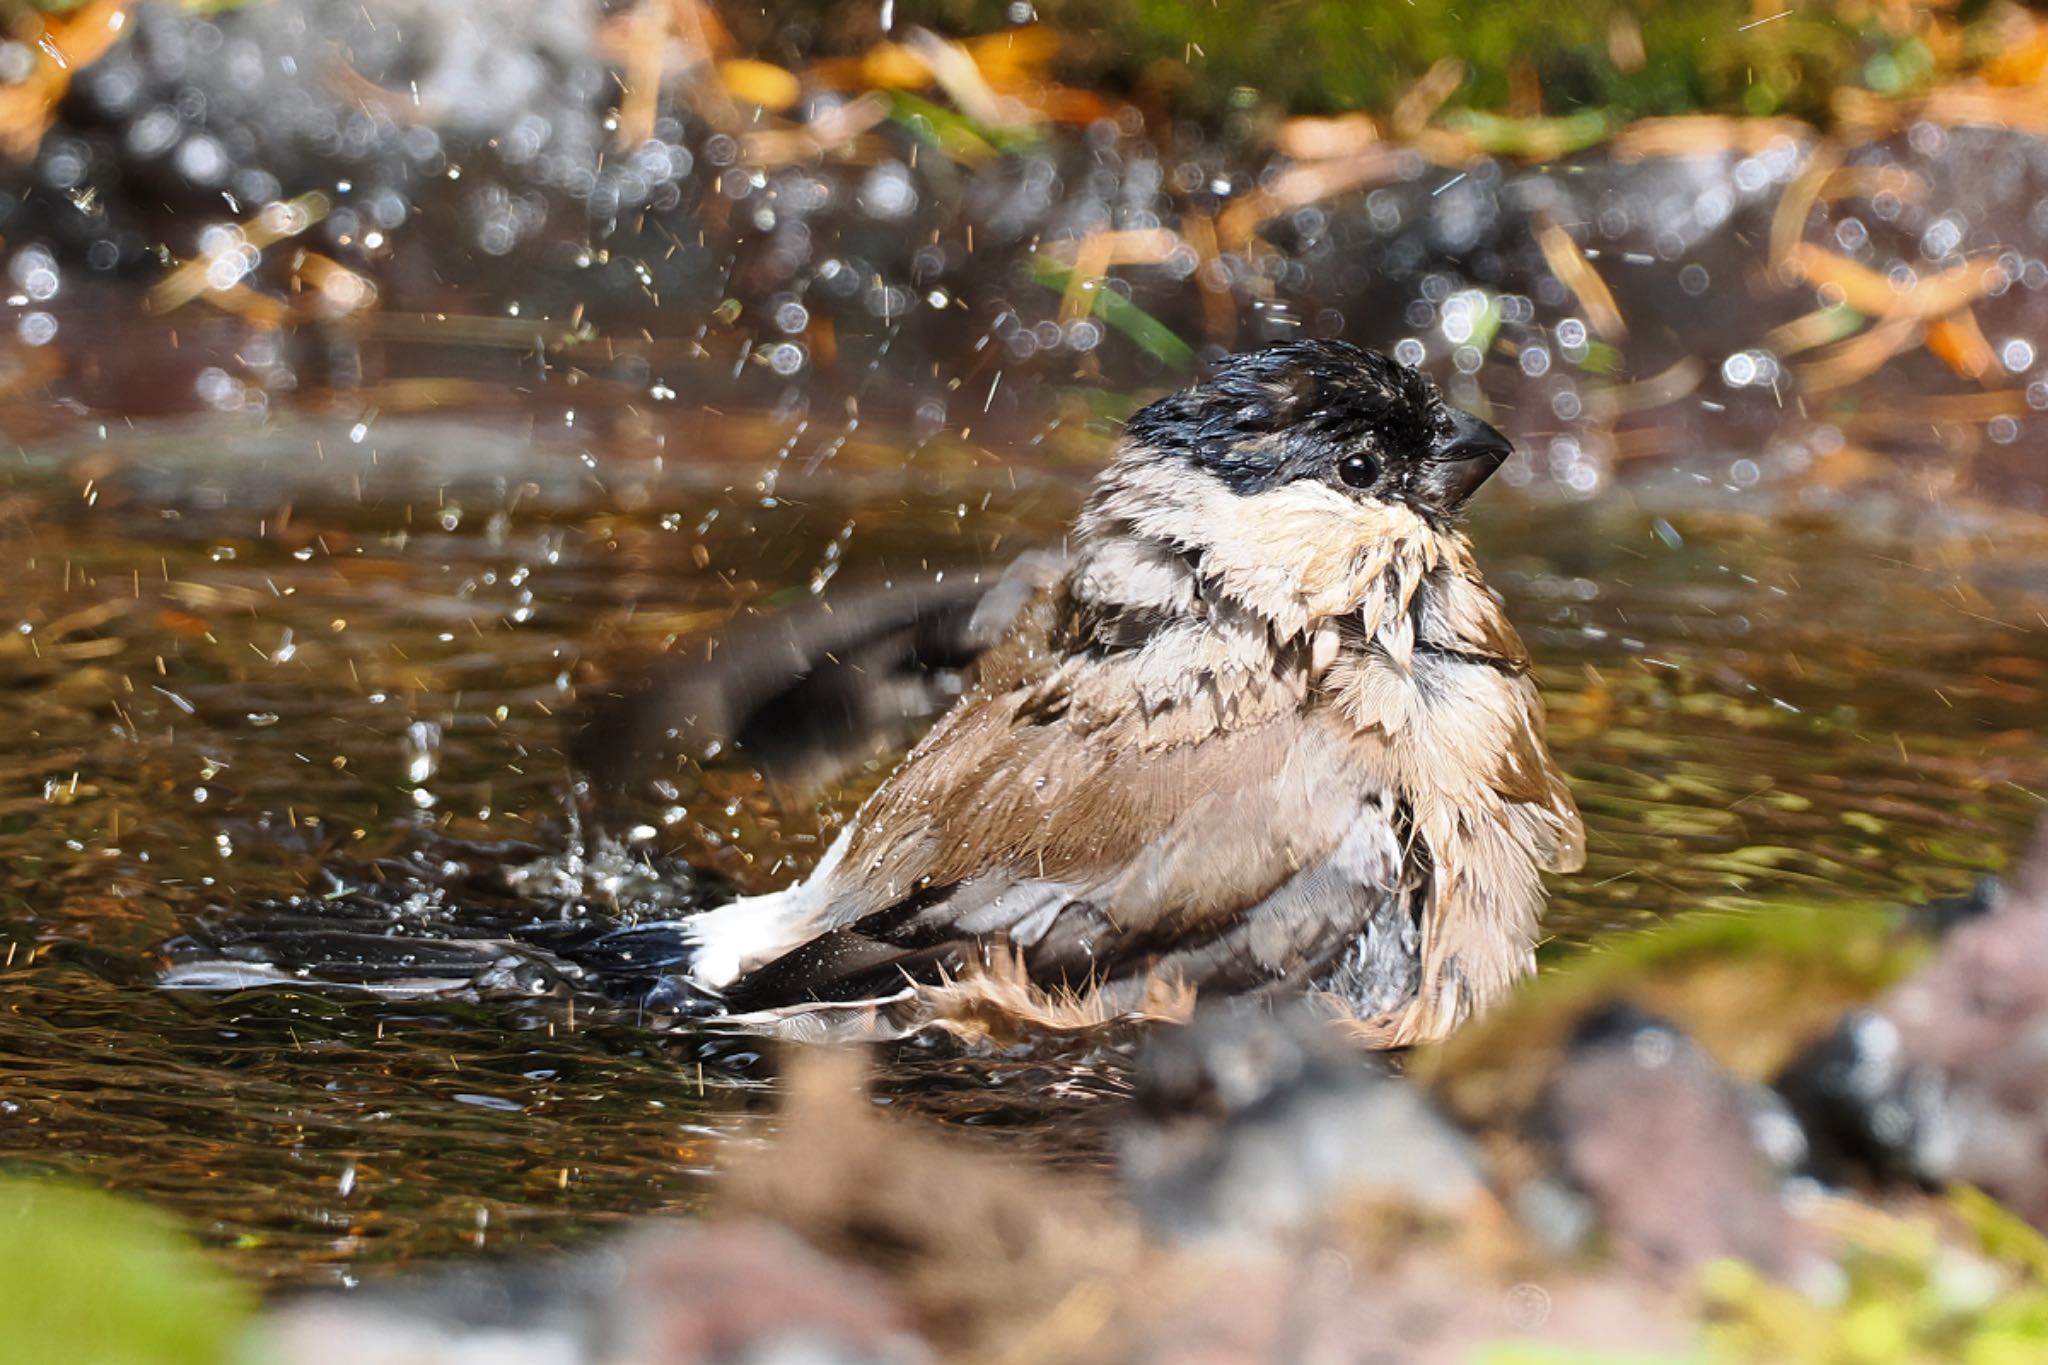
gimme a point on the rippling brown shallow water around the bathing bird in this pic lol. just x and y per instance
(234, 654)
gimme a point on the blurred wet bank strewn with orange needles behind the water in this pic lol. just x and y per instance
(1756, 243)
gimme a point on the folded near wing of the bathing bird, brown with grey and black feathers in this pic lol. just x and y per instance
(1254, 861)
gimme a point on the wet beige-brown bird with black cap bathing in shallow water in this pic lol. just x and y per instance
(1267, 730)
